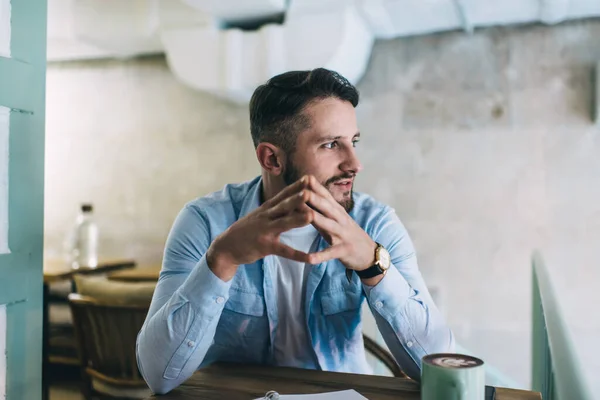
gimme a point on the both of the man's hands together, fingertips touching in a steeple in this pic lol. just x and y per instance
(305, 202)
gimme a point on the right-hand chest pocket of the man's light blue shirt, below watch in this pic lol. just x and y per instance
(341, 311)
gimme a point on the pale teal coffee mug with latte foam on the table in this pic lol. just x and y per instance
(447, 376)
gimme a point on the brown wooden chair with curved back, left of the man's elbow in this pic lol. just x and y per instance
(106, 335)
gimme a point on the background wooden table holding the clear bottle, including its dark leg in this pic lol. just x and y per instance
(57, 270)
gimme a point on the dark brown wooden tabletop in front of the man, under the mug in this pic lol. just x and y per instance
(248, 382)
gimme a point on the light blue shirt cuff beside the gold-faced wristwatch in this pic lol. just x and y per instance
(390, 294)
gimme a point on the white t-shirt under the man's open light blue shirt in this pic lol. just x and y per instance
(291, 344)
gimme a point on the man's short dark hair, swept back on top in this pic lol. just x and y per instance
(276, 108)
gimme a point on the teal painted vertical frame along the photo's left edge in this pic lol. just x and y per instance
(22, 90)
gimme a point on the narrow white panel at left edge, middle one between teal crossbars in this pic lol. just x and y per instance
(4, 134)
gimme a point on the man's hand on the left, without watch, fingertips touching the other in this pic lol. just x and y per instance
(256, 235)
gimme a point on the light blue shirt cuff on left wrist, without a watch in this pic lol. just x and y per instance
(205, 291)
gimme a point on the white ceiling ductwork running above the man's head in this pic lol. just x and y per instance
(228, 47)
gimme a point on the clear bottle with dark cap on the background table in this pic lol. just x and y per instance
(82, 245)
